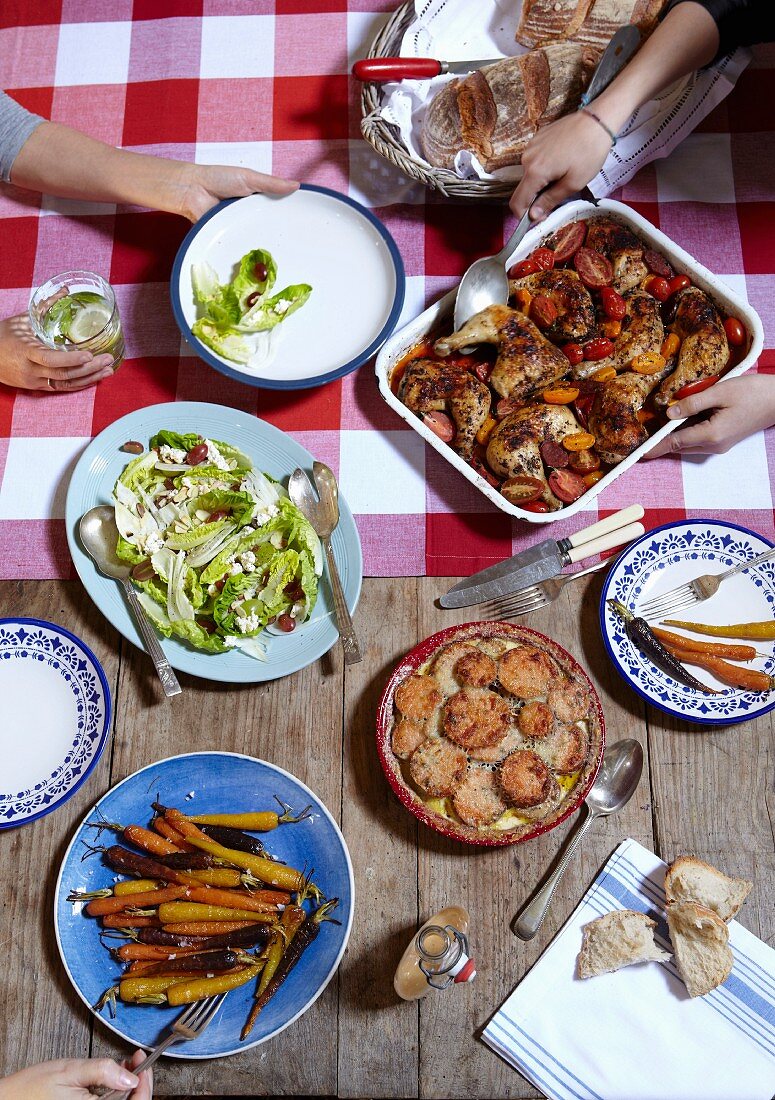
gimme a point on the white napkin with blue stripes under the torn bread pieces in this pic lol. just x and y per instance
(636, 1035)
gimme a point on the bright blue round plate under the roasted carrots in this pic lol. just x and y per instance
(208, 783)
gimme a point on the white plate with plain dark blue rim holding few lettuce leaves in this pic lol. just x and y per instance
(318, 237)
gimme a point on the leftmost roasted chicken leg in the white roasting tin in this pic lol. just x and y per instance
(428, 388)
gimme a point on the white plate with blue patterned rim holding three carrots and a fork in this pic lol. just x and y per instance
(659, 563)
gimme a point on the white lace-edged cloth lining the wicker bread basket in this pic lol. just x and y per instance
(445, 29)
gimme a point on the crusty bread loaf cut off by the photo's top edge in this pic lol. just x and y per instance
(591, 23)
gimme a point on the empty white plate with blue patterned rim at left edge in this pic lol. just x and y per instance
(56, 718)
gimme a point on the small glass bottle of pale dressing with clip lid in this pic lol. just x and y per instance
(437, 958)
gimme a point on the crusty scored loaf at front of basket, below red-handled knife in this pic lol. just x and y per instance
(496, 112)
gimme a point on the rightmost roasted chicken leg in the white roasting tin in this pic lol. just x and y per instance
(704, 349)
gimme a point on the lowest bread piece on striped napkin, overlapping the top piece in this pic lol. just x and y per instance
(701, 945)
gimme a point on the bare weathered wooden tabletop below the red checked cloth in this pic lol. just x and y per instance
(704, 793)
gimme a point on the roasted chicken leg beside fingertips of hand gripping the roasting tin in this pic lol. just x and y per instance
(614, 416)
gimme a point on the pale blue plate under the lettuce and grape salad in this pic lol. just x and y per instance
(272, 452)
